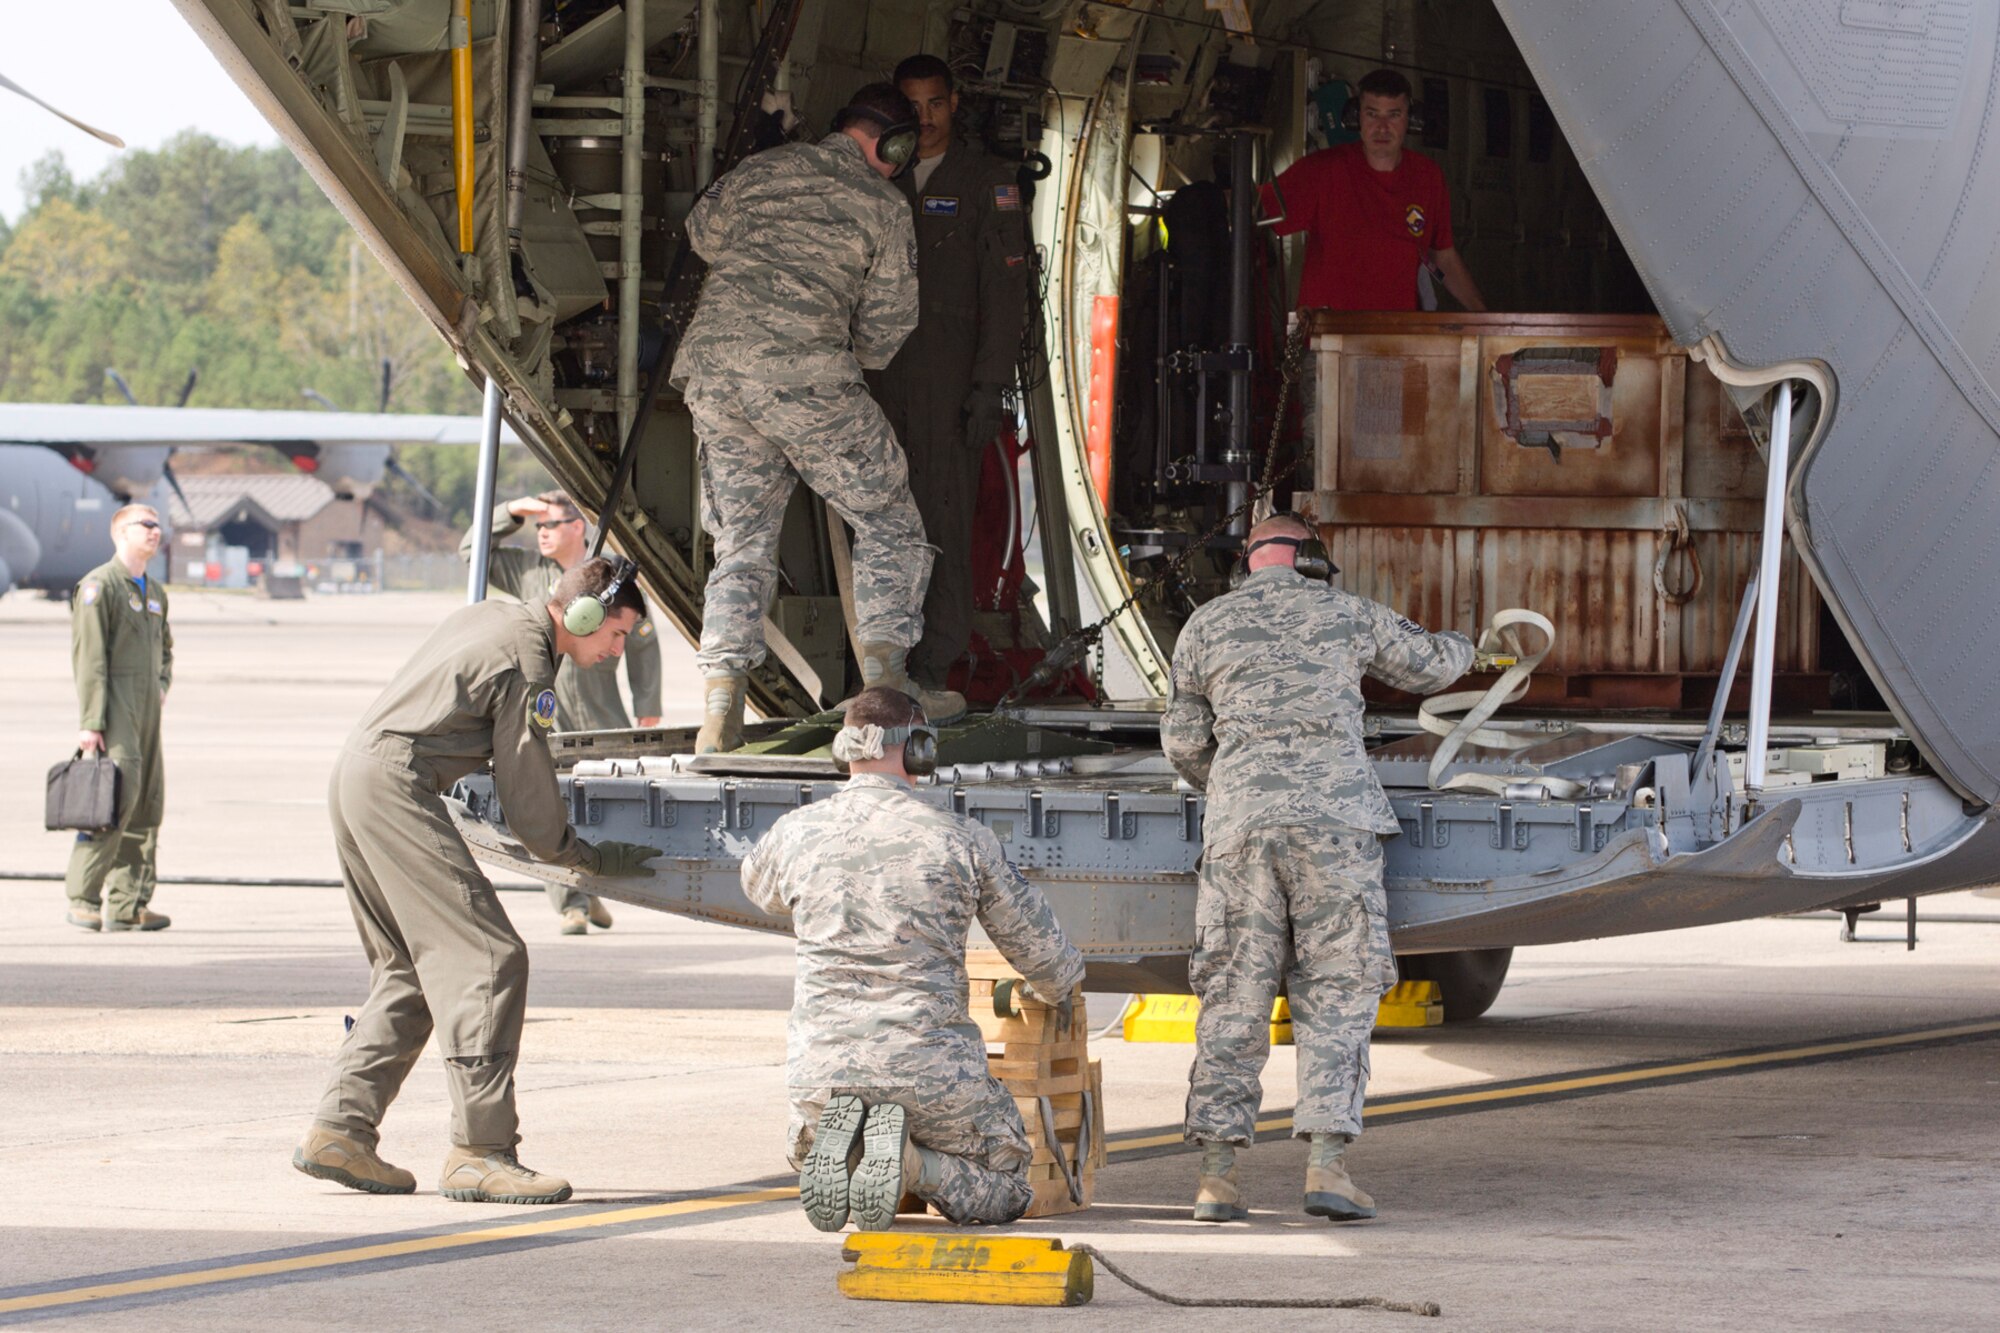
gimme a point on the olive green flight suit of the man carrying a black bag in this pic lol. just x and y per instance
(123, 655)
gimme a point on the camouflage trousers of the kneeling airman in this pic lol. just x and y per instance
(969, 1124)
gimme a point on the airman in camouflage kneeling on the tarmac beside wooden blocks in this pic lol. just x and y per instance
(883, 892)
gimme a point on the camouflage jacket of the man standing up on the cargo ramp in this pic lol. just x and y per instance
(811, 269)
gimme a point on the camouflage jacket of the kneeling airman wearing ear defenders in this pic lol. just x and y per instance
(883, 892)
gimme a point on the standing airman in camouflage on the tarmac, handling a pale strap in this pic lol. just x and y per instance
(1267, 718)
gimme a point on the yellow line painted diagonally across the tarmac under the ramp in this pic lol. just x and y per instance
(619, 1218)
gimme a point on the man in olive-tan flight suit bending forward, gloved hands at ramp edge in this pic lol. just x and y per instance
(441, 950)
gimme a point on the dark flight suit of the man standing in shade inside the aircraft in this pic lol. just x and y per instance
(973, 297)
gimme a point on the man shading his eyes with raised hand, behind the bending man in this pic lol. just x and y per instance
(587, 698)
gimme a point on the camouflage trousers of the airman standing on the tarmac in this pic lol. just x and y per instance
(1303, 908)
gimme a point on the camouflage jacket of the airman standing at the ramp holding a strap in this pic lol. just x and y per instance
(1267, 704)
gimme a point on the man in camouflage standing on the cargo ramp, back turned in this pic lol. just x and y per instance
(811, 281)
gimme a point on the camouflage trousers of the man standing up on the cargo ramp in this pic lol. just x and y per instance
(757, 441)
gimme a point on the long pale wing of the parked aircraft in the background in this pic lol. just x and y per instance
(83, 423)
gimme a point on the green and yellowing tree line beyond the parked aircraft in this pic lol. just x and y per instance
(227, 263)
